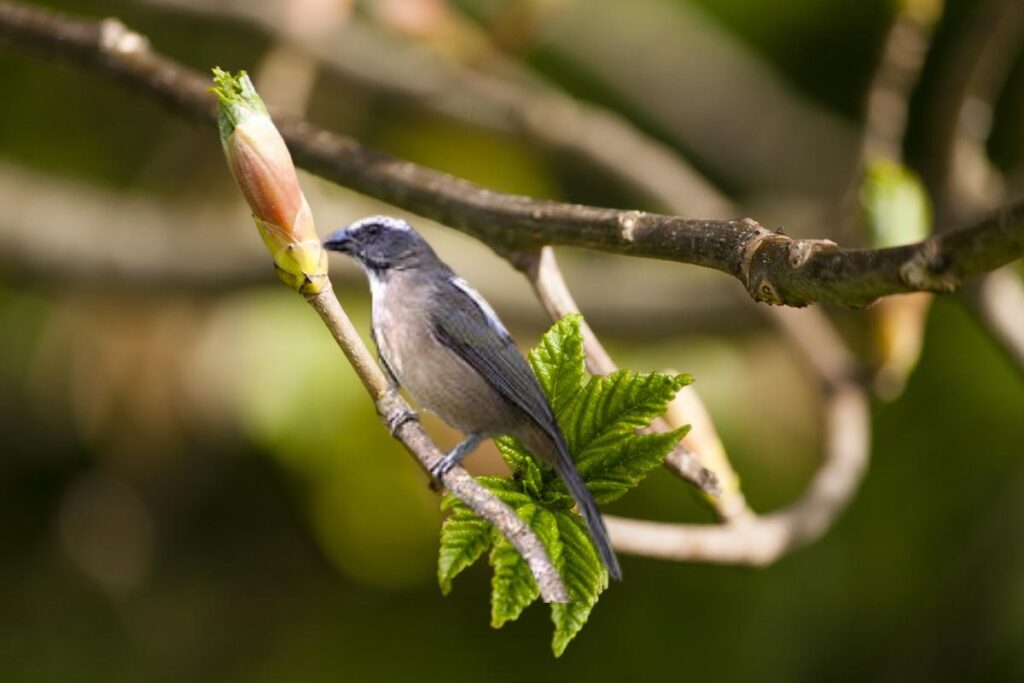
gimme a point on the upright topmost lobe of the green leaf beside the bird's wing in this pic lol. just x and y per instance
(559, 361)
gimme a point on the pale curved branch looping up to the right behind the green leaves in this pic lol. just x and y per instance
(745, 538)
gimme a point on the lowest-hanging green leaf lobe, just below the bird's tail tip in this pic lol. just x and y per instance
(584, 576)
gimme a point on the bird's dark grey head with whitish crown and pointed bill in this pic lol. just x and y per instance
(381, 244)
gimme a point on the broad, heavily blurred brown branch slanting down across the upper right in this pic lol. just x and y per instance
(703, 88)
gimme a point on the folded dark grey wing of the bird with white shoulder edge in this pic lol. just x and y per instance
(470, 327)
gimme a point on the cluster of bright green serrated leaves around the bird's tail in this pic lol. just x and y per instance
(601, 418)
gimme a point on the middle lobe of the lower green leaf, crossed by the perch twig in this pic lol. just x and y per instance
(514, 587)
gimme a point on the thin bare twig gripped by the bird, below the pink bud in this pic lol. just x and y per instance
(396, 413)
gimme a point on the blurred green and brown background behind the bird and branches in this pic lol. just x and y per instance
(172, 509)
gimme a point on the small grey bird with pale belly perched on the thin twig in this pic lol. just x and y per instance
(441, 340)
